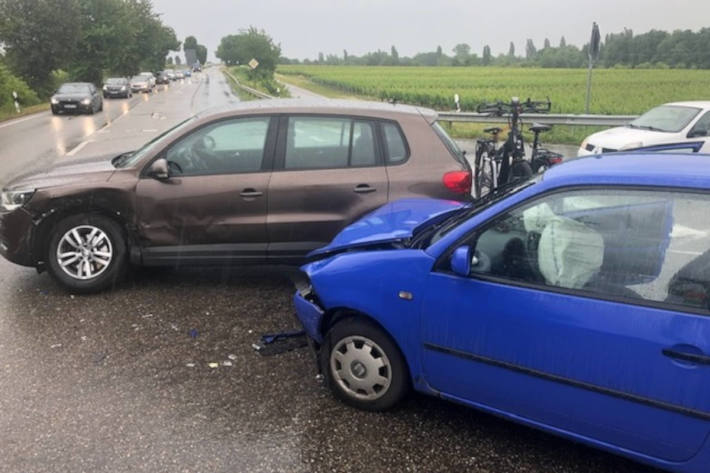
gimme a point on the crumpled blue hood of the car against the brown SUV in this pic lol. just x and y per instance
(395, 221)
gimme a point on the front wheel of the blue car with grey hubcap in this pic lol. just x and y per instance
(363, 366)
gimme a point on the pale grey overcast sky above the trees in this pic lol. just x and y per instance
(306, 27)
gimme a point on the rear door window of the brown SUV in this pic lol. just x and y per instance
(329, 142)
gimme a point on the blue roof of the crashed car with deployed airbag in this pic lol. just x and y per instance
(648, 169)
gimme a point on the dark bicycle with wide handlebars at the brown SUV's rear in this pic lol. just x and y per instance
(497, 166)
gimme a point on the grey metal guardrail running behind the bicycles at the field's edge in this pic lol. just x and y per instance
(546, 118)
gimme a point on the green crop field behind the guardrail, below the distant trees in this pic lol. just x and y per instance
(614, 91)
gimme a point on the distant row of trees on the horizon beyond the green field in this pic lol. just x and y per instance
(679, 49)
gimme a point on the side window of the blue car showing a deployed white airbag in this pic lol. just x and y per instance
(643, 246)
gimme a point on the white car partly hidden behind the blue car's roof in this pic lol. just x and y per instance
(677, 125)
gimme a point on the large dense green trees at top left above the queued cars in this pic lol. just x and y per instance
(87, 39)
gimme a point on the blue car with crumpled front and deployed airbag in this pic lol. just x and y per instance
(577, 302)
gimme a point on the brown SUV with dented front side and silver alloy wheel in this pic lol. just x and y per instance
(261, 182)
